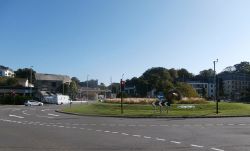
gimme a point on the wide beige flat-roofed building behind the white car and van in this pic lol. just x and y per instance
(51, 82)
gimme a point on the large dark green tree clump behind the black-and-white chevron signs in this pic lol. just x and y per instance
(160, 79)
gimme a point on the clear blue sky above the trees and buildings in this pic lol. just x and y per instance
(105, 39)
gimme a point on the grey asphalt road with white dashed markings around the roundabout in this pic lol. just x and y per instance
(43, 129)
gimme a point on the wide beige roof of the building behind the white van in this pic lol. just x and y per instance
(52, 77)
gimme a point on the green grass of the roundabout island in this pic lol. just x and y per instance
(134, 110)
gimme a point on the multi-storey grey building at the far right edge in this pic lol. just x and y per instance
(235, 85)
